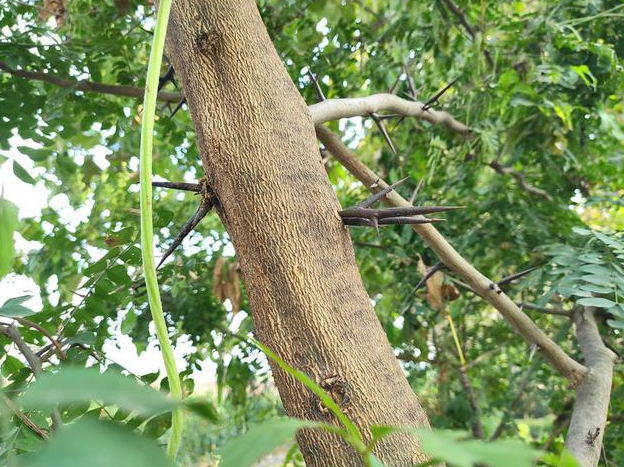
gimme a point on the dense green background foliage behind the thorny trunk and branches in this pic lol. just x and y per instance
(547, 103)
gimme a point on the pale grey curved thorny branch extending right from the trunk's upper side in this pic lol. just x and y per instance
(334, 109)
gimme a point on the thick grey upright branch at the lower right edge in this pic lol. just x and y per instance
(589, 414)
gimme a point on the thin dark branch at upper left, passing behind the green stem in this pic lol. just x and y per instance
(88, 86)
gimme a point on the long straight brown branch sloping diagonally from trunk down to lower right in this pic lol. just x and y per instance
(569, 368)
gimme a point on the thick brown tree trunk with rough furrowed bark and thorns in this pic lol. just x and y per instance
(261, 158)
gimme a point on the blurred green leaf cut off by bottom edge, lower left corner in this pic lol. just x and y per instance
(91, 443)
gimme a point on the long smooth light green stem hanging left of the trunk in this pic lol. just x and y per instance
(147, 228)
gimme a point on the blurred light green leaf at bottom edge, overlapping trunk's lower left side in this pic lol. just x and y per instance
(261, 439)
